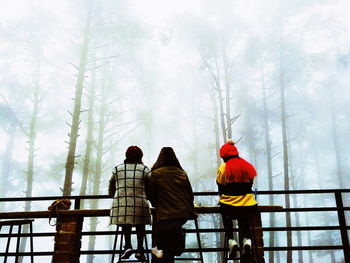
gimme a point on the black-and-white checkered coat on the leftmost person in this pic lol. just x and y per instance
(128, 188)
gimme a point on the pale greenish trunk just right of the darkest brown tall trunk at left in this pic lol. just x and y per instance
(89, 135)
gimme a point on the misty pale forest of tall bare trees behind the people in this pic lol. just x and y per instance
(82, 80)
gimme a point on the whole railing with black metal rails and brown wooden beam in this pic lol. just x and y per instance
(340, 209)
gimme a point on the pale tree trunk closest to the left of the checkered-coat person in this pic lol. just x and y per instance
(98, 168)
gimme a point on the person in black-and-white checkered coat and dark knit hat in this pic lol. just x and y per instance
(128, 187)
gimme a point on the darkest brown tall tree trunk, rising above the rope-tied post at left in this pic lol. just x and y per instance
(73, 135)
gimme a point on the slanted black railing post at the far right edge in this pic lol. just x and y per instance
(342, 225)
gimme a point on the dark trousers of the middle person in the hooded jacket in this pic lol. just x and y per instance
(169, 237)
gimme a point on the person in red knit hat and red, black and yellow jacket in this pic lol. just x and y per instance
(235, 179)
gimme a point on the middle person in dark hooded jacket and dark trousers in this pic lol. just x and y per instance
(172, 197)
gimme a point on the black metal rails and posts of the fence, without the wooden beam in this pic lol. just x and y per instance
(339, 207)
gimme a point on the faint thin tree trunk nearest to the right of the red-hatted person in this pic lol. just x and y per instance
(268, 163)
